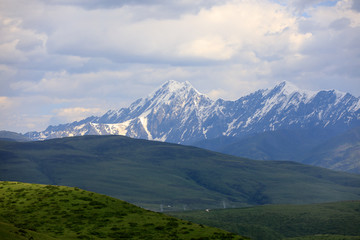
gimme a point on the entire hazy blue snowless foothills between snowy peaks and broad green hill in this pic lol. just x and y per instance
(319, 147)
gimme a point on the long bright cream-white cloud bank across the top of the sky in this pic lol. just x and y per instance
(217, 33)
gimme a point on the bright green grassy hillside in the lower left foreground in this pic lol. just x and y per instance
(32, 211)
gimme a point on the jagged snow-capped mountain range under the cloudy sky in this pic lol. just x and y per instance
(177, 112)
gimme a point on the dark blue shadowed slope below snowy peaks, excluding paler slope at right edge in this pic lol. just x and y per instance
(271, 145)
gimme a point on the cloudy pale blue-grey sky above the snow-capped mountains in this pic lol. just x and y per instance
(64, 60)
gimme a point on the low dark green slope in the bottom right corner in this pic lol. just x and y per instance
(340, 220)
